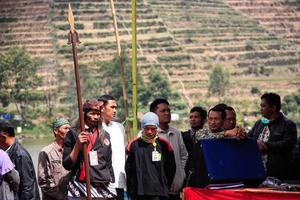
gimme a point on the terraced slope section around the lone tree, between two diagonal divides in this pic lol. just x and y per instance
(212, 32)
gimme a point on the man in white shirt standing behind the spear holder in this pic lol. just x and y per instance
(117, 135)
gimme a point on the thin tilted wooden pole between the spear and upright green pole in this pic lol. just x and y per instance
(113, 12)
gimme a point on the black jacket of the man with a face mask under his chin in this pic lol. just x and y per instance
(283, 137)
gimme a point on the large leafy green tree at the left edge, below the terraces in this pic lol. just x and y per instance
(18, 79)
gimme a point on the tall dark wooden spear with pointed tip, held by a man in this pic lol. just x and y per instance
(74, 39)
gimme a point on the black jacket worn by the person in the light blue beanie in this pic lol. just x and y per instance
(147, 177)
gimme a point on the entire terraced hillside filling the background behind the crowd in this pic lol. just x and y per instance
(183, 38)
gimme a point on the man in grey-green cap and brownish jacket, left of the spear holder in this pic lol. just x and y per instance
(53, 178)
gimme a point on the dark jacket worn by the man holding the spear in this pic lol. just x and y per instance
(101, 173)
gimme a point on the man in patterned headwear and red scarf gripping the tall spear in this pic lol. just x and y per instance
(99, 154)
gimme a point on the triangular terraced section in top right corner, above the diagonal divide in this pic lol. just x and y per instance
(278, 16)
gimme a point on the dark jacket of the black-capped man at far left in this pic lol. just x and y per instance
(28, 189)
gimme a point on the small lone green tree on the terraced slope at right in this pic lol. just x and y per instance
(218, 81)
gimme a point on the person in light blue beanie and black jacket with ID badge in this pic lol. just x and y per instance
(150, 166)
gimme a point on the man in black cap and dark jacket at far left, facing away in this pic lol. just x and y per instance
(28, 189)
